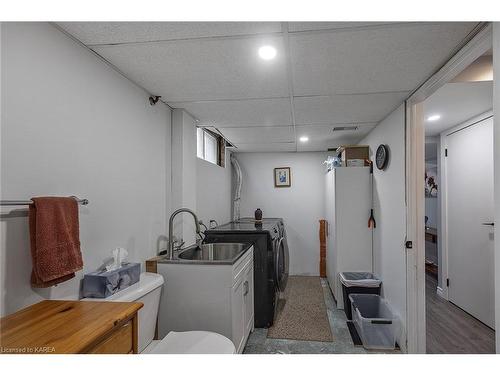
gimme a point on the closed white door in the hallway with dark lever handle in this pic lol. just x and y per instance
(469, 169)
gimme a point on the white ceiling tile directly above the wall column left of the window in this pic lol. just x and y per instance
(240, 112)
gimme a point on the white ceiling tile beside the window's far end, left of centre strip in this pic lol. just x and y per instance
(275, 134)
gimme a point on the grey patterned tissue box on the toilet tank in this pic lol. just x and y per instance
(102, 284)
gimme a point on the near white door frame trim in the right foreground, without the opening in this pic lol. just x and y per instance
(480, 41)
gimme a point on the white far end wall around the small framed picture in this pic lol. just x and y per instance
(301, 206)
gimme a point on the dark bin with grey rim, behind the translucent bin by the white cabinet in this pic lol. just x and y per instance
(357, 283)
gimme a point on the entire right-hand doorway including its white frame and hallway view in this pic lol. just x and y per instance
(447, 312)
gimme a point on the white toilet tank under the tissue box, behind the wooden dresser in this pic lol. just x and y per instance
(148, 291)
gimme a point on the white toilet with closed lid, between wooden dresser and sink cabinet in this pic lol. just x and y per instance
(148, 291)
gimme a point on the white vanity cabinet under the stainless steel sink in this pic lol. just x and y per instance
(208, 297)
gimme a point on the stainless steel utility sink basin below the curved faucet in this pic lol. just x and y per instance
(214, 252)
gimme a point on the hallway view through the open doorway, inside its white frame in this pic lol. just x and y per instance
(459, 271)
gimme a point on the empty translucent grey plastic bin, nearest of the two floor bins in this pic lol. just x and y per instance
(374, 321)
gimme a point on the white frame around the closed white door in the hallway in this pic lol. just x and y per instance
(443, 235)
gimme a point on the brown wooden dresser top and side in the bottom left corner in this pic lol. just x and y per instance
(71, 327)
